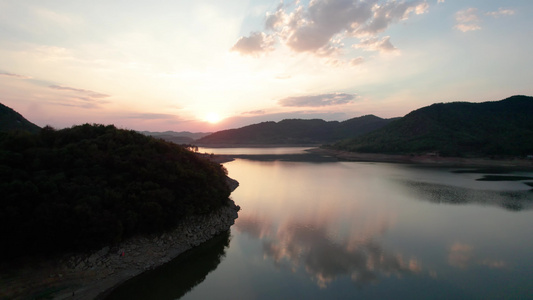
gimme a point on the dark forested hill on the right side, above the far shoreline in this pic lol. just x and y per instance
(456, 129)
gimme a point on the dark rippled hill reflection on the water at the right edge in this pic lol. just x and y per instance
(438, 193)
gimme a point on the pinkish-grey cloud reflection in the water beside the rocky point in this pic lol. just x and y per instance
(310, 246)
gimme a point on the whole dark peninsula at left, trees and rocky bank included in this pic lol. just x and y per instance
(90, 206)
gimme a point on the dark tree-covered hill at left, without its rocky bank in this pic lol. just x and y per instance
(93, 185)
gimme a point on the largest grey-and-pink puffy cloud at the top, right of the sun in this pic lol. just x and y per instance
(322, 26)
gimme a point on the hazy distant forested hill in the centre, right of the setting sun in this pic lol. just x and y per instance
(295, 131)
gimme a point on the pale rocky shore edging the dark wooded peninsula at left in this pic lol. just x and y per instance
(90, 275)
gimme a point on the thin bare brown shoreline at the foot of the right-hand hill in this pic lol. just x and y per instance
(432, 160)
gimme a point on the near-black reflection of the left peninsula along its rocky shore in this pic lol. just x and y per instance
(178, 277)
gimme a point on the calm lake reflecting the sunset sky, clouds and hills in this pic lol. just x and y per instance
(317, 228)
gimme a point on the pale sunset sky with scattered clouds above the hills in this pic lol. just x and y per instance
(204, 66)
